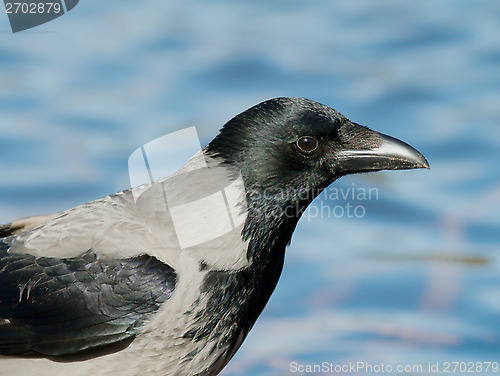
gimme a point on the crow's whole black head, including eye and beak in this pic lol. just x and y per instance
(294, 148)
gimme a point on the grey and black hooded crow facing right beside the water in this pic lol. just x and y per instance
(168, 278)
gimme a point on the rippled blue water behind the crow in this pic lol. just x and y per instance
(415, 279)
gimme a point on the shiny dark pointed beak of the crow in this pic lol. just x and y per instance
(389, 154)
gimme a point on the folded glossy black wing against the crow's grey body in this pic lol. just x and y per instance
(57, 306)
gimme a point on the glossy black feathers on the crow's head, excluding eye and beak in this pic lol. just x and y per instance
(262, 143)
